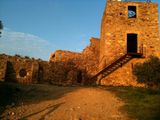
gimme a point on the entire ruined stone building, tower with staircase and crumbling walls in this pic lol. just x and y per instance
(129, 34)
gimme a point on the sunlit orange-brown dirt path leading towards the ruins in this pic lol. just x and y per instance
(66, 103)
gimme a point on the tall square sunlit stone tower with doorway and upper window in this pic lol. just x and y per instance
(127, 28)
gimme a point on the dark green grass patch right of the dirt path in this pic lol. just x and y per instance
(140, 103)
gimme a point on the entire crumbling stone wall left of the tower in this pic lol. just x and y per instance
(63, 68)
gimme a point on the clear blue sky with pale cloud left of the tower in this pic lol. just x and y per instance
(37, 28)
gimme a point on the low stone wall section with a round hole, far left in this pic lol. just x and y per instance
(18, 69)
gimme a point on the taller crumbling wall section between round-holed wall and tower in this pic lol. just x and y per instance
(75, 68)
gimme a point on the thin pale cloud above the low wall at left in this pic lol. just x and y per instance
(25, 44)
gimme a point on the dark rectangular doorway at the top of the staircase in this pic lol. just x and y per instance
(131, 43)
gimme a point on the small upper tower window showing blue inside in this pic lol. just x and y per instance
(132, 12)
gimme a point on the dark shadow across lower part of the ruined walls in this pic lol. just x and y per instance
(68, 72)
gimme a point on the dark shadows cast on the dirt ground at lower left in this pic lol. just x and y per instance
(17, 94)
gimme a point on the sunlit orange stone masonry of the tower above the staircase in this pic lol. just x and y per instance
(116, 25)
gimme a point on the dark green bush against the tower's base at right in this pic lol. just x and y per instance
(148, 72)
